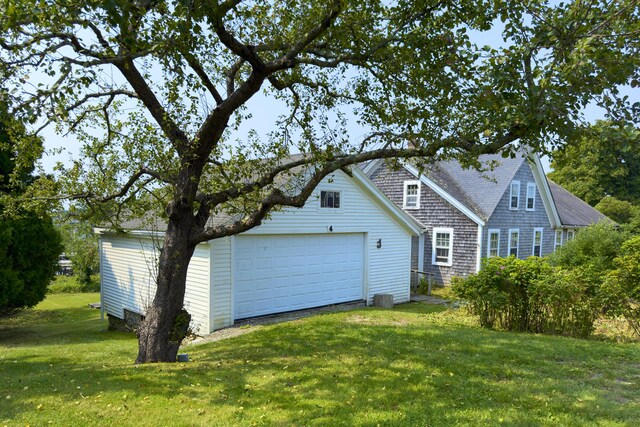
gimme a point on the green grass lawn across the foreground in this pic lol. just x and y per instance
(414, 365)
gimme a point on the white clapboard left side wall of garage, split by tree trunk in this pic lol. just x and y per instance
(128, 278)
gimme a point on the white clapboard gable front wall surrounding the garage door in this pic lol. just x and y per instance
(387, 269)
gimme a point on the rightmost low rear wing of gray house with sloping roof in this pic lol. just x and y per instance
(574, 214)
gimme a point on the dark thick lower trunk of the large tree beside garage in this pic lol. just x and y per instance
(166, 323)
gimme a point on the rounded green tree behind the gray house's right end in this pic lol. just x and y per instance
(600, 160)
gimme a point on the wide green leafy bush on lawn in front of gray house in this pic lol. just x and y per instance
(530, 295)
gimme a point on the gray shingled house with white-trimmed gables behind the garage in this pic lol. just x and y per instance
(469, 215)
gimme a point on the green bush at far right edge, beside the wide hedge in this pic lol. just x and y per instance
(621, 289)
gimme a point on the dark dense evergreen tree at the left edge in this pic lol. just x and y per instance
(29, 243)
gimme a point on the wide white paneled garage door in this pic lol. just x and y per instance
(281, 273)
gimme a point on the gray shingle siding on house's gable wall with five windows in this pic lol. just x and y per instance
(505, 219)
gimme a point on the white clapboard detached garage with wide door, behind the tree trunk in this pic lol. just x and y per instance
(348, 243)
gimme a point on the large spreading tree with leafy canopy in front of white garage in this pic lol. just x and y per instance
(156, 90)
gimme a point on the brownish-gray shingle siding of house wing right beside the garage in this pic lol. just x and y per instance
(434, 212)
